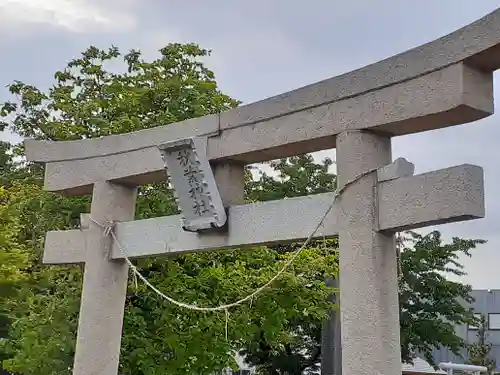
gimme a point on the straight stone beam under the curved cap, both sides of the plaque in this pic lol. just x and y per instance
(453, 95)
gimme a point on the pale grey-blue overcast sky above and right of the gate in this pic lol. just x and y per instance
(265, 47)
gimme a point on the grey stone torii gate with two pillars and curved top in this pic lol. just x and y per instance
(443, 83)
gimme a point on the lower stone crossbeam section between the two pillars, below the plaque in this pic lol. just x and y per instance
(248, 225)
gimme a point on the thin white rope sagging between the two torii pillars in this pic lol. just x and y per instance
(108, 230)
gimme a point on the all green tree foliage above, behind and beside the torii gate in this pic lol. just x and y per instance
(278, 332)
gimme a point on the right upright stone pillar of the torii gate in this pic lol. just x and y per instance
(368, 268)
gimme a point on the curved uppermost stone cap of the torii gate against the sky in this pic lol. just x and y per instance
(477, 44)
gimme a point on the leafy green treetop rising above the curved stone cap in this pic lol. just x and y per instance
(88, 100)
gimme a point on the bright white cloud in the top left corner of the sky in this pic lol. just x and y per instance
(73, 15)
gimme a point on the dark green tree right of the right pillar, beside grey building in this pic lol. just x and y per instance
(430, 304)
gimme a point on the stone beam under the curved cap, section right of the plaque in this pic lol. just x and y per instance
(428, 102)
